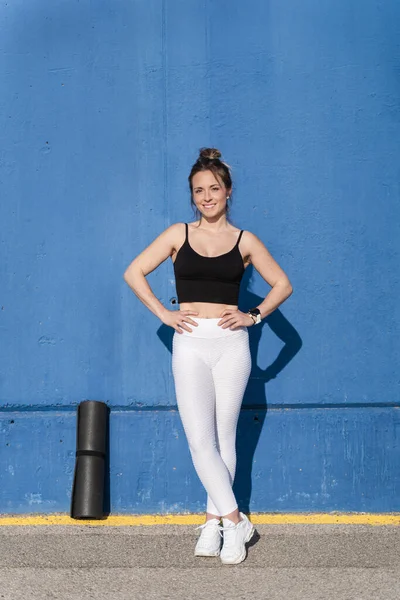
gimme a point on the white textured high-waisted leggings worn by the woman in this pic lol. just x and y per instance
(211, 368)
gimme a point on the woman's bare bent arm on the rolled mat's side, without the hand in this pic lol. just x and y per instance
(148, 260)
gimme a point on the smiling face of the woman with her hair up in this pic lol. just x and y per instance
(209, 194)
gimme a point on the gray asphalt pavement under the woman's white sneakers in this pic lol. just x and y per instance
(284, 562)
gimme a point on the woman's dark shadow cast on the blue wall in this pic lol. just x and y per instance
(254, 407)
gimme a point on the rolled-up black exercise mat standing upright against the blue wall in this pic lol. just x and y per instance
(87, 500)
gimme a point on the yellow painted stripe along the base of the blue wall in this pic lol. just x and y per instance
(196, 519)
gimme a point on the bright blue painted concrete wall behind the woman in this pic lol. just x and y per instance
(103, 109)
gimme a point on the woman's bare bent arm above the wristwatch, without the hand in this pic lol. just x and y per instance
(270, 271)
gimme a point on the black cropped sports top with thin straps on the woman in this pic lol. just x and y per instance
(208, 278)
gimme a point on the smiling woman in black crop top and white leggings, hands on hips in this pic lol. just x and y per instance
(210, 352)
